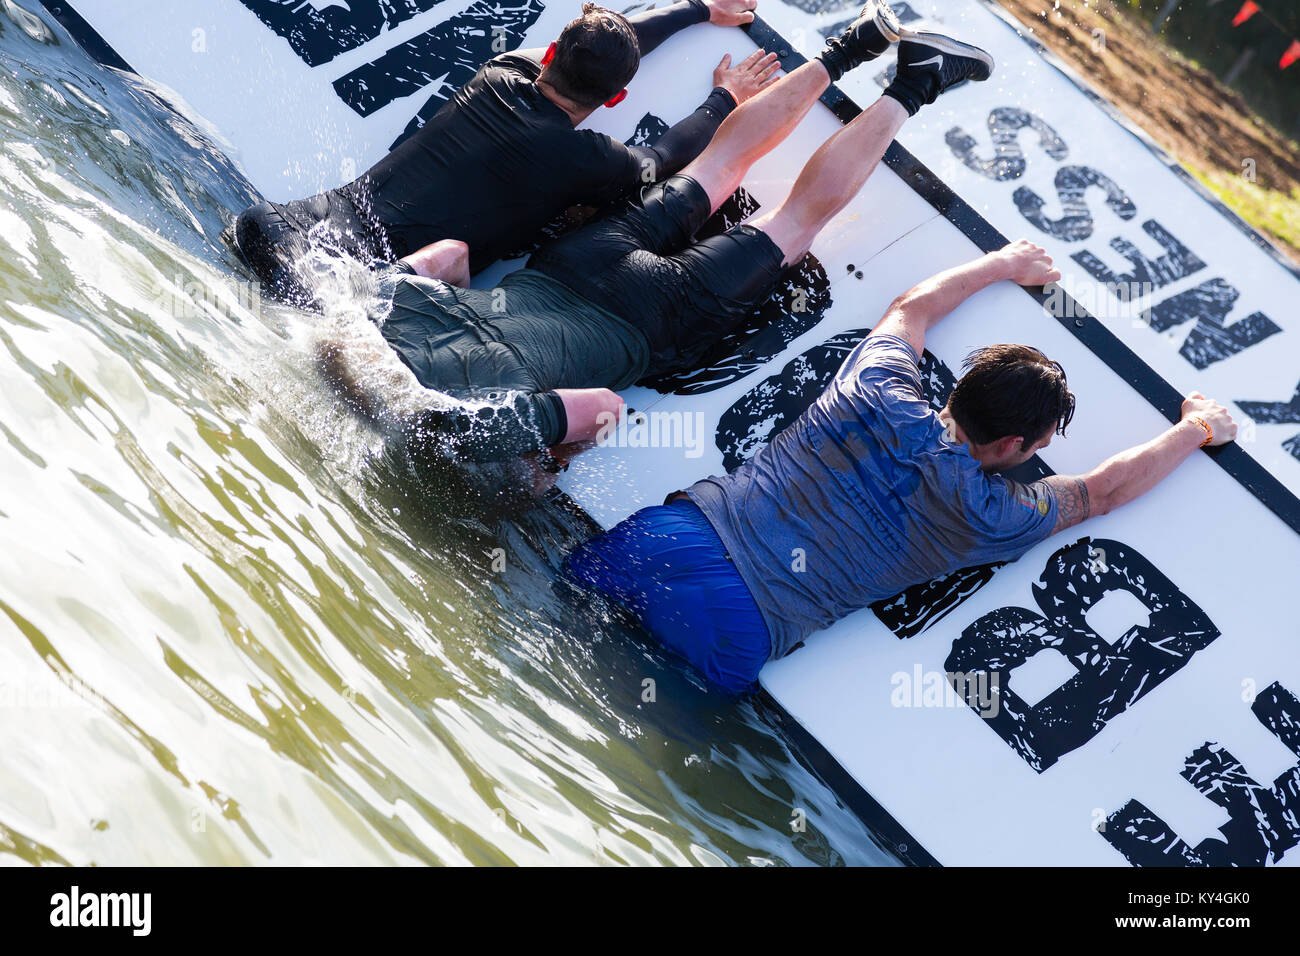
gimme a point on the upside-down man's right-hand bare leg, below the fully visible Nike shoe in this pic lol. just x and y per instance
(831, 179)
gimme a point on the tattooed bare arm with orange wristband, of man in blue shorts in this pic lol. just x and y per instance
(1134, 473)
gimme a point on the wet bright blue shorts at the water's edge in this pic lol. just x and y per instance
(670, 569)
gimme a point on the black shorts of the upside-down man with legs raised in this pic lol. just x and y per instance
(638, 262)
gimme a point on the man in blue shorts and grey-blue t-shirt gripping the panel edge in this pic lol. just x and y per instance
(878, 491)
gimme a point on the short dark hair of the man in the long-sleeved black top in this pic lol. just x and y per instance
(596, 57)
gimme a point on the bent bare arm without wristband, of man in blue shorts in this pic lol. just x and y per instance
(915, 313)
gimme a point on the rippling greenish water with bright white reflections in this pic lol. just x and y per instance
(231, 633)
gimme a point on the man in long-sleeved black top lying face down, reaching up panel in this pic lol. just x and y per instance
(502, 158)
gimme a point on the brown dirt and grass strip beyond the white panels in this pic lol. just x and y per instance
(1207, 127)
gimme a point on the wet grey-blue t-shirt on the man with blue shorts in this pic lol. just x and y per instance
(864, 498)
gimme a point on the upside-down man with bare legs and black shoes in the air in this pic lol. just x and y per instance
(536, 362)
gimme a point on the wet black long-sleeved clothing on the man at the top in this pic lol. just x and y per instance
(491, 168)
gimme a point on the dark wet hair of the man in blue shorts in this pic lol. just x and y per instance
(1011, 390)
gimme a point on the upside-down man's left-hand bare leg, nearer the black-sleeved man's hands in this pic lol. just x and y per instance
(756, 128)
